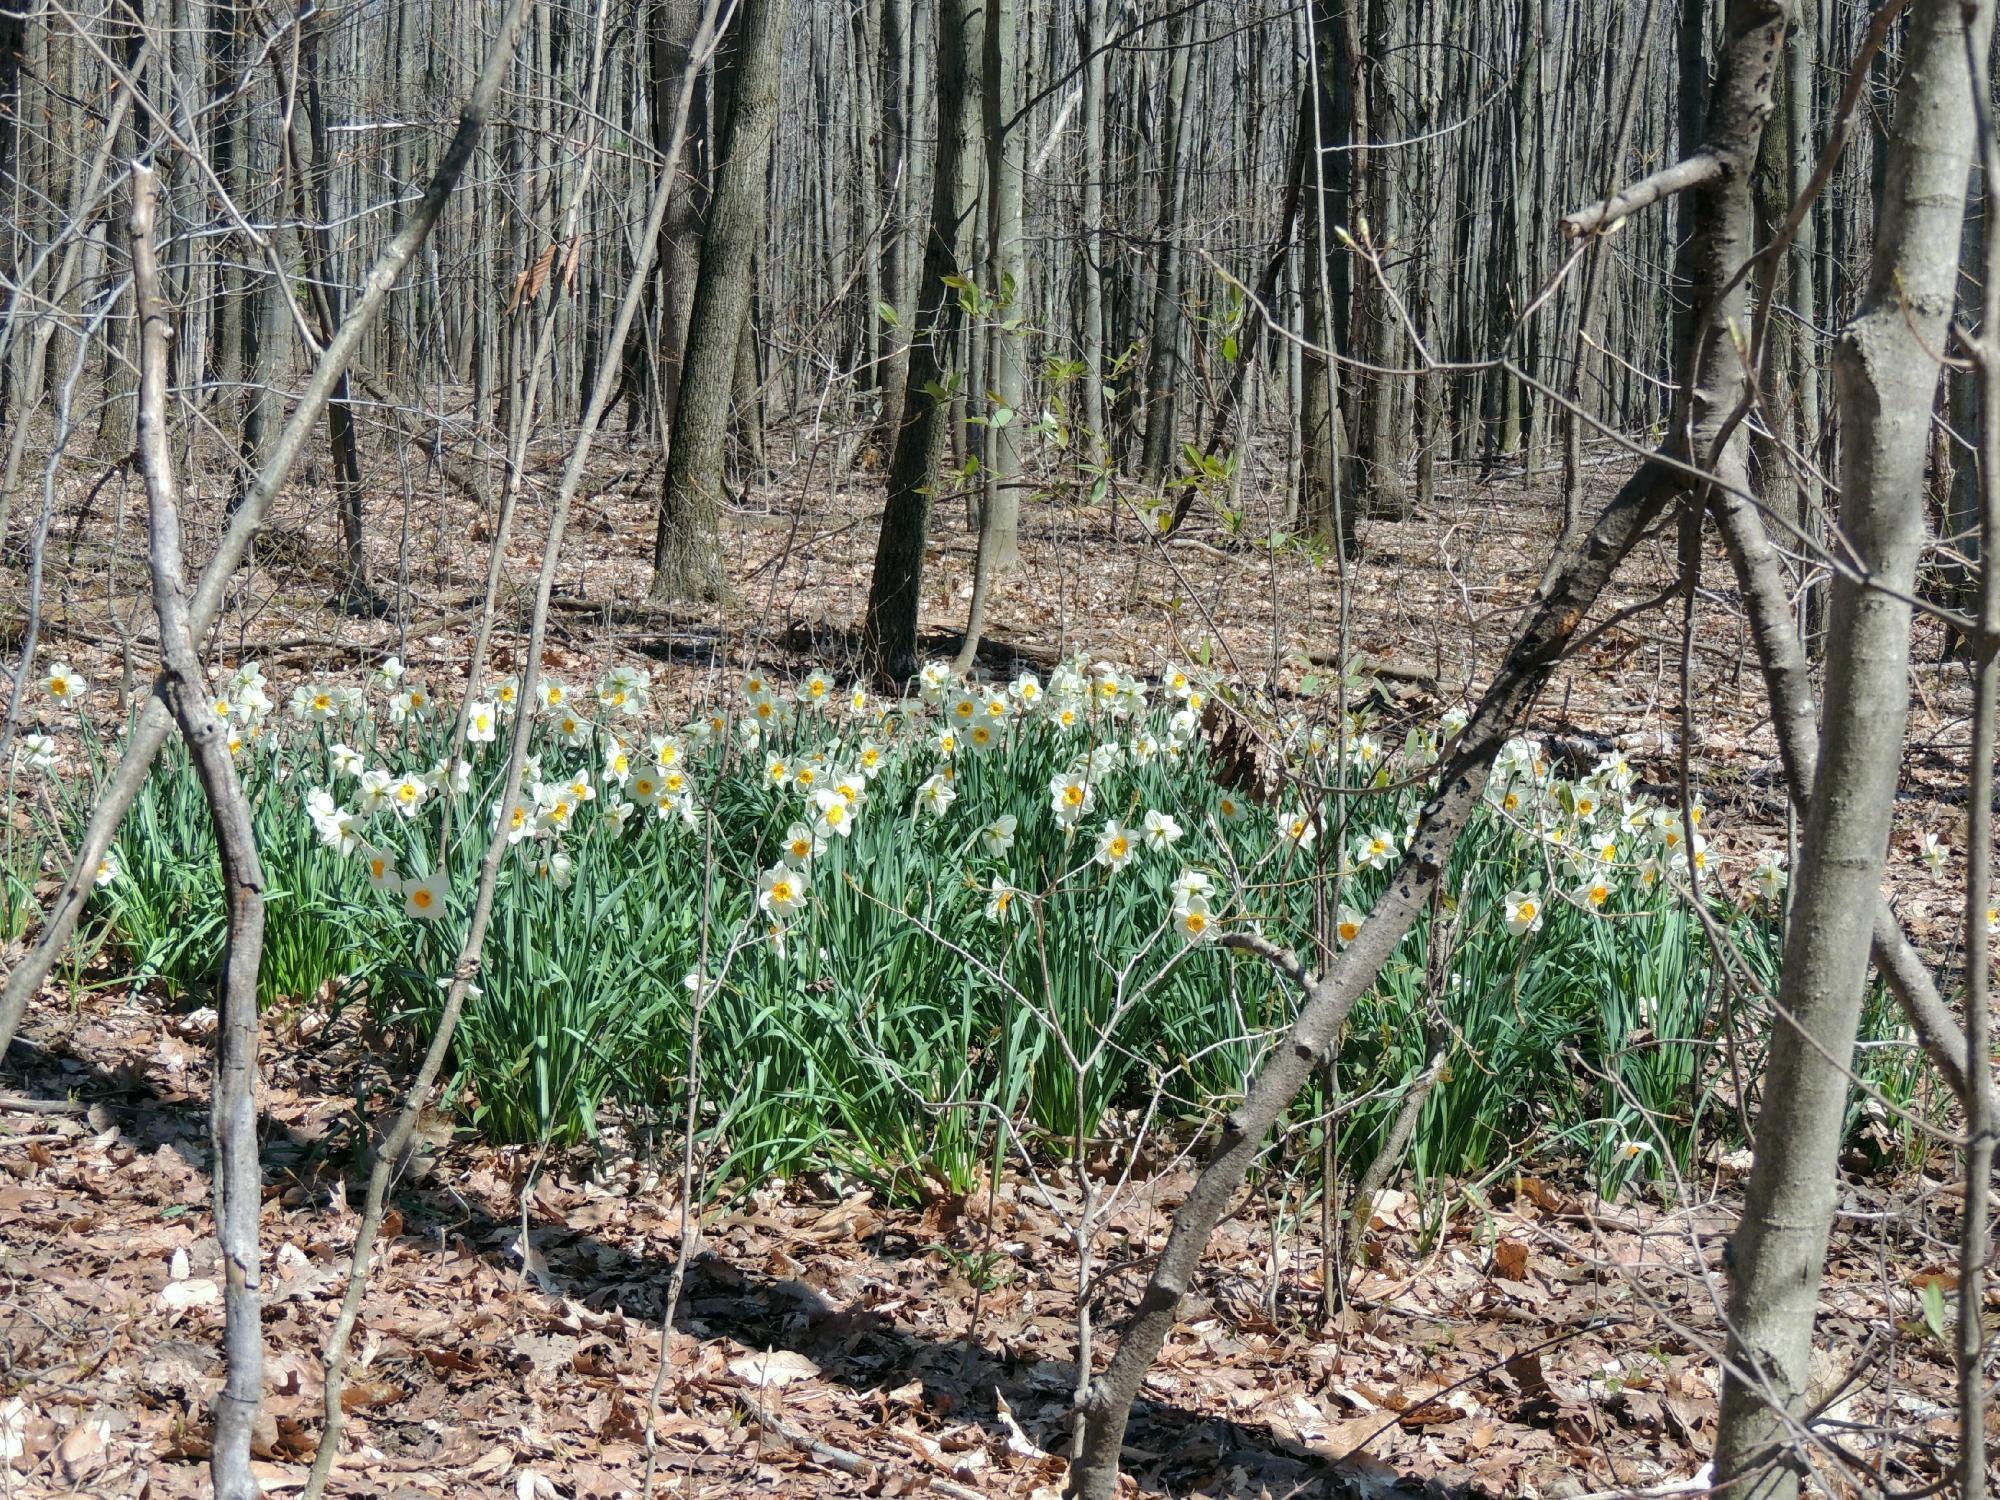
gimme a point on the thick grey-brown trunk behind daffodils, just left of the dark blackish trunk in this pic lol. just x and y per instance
(687, 555)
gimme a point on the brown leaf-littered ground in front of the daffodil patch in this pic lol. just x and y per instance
(1533, 1343)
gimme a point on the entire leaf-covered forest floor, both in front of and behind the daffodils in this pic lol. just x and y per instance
(1515, 1337)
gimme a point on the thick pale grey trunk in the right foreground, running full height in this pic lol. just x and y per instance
(1887, 375)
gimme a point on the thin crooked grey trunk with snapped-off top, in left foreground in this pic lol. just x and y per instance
(237, 1177)
